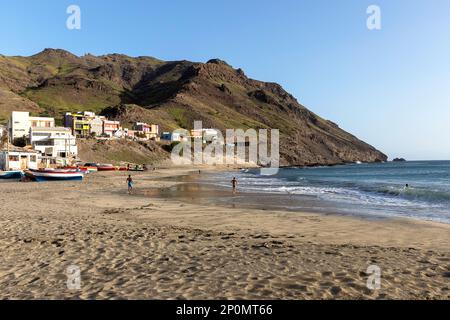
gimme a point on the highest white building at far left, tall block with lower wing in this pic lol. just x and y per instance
(20, 123)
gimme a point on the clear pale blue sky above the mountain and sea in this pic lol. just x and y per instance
(390, 87)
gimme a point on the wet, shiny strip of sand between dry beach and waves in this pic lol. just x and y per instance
(206, 189)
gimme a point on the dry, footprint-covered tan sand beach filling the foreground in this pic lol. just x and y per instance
(142, 247)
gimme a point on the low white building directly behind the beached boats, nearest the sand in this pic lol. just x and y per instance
(17, 159)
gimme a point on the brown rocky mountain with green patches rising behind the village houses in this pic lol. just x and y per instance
(174, 94)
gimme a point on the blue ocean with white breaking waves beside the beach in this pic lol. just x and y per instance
(369, 190)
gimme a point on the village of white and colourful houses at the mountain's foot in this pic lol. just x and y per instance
(30, 142)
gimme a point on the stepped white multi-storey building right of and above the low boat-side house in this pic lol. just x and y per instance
(54, 142)
